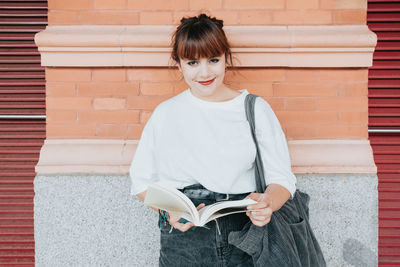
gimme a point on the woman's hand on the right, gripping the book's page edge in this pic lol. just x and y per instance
(260, 213)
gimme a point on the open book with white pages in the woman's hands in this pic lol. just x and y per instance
(162, 196)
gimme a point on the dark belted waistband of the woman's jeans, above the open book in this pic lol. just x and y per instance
(200, 192)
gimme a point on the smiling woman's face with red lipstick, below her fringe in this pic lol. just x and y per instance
(204, 76)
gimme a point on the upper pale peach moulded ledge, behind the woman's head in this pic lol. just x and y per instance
(253, 46)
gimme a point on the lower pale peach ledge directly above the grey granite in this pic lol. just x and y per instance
(113, 156)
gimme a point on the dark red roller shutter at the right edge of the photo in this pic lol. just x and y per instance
(384, 123)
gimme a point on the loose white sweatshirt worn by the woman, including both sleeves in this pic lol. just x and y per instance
(188, 140)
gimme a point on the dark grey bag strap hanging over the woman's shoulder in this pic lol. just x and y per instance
(258, 168)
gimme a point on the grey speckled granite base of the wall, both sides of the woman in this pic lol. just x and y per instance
(83, 220)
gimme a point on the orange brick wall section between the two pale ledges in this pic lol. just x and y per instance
(117, 102)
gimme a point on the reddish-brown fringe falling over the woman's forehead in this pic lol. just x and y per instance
(201, 42)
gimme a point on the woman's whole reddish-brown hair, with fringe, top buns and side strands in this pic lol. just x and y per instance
(198, 37)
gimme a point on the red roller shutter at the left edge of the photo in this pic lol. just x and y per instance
(22, 126)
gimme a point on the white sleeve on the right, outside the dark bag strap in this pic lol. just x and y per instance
(273, 147)
